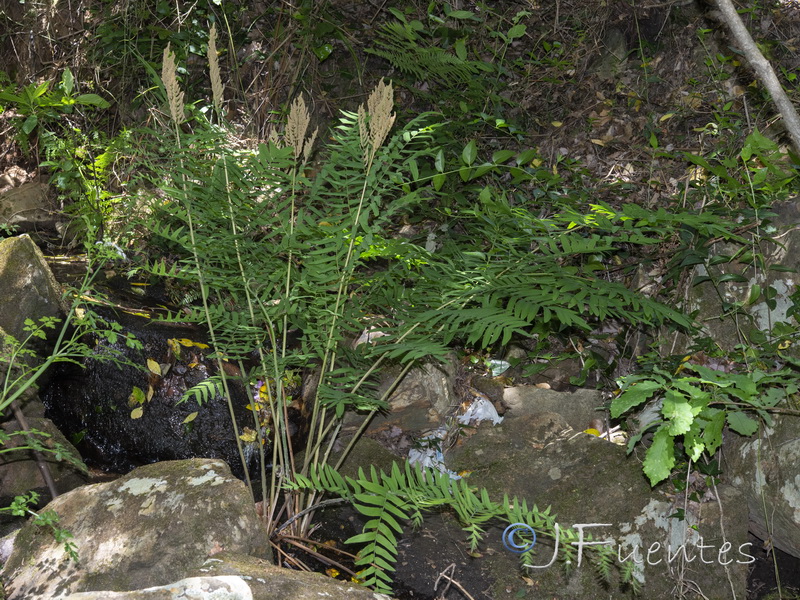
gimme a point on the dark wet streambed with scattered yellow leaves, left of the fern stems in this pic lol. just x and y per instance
(124, 415)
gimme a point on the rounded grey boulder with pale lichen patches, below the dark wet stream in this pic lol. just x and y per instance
(150, 528)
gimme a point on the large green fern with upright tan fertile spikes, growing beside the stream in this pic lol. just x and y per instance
(291, 266)
